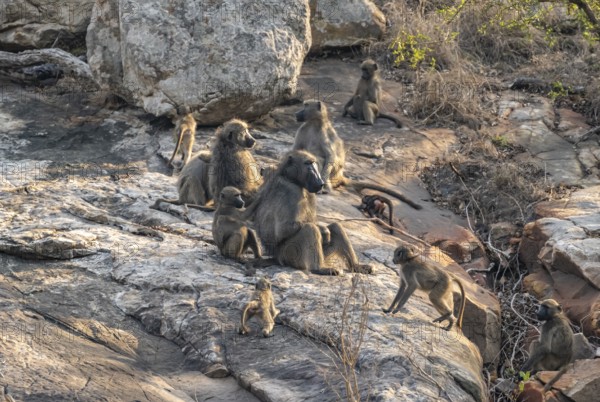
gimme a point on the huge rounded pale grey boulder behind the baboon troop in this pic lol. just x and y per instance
(222, 59)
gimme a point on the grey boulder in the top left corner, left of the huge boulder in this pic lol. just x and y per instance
(38, 24)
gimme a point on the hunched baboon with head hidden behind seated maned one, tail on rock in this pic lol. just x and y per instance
(192, 184)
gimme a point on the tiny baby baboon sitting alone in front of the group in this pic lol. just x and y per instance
(261, 304)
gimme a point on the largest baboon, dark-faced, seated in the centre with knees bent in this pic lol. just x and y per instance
(285, 218)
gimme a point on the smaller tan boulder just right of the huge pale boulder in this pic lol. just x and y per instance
(345, 23)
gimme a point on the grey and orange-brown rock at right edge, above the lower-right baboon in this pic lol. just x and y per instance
(562, 253)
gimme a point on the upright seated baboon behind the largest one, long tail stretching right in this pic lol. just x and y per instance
(318, 137)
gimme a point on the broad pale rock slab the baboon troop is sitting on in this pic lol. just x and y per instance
(81, 188)
